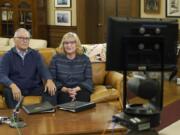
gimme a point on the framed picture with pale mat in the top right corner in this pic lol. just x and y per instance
(172, 8)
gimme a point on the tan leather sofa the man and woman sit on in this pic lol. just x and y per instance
(101, 79)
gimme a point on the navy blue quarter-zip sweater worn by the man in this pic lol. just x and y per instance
(26, 73)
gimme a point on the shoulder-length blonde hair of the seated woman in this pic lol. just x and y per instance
(68, 36)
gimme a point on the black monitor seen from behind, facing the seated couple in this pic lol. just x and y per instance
(147, 44)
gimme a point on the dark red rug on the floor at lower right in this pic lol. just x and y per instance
(169, 115)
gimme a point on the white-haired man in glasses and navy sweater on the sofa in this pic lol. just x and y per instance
(22, 71)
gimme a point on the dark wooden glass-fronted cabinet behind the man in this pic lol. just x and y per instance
(38, 27)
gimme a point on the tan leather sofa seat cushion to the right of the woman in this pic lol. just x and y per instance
(102, 94)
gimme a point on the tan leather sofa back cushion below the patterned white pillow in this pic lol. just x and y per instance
(98, 73)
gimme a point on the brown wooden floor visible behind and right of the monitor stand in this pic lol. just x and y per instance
(171, 93)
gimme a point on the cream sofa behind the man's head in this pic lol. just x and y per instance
(7, 43)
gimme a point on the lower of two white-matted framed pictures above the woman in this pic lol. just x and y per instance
(63, 18)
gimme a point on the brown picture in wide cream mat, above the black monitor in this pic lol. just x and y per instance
(152, 6)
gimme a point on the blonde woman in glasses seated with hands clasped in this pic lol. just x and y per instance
(71, 71)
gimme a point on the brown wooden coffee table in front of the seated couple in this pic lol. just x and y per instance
(93, 121)
